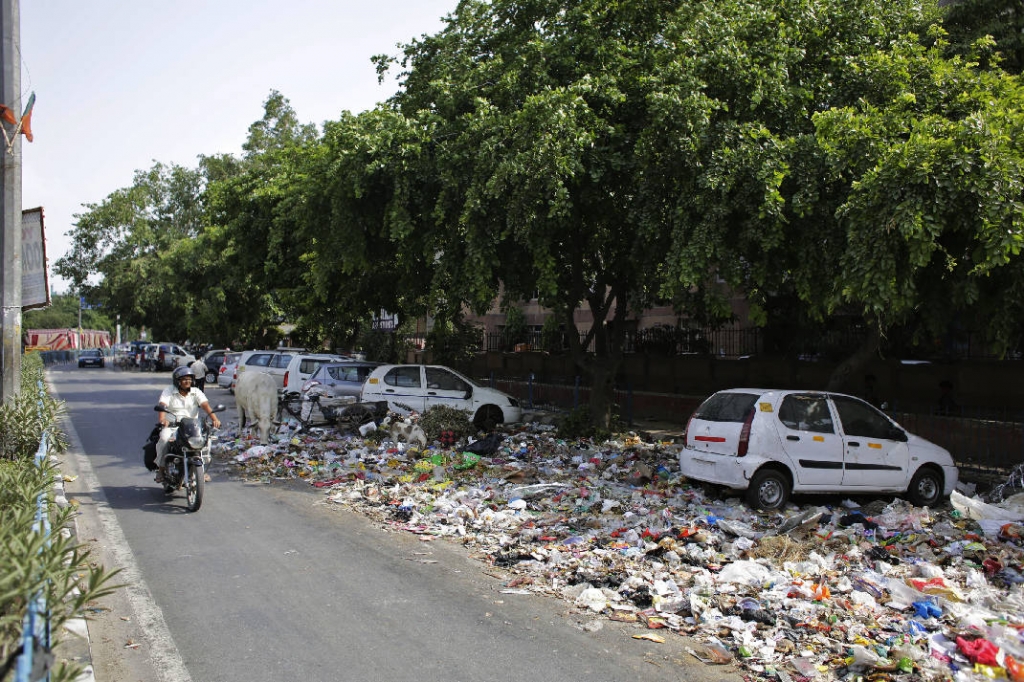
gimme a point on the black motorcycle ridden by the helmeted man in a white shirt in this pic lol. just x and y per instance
(188, 456)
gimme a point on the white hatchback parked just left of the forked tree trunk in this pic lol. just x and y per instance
(418, 388)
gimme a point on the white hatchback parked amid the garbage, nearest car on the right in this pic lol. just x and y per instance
(775, 443)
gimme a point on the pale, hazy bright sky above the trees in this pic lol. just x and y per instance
(121, 86)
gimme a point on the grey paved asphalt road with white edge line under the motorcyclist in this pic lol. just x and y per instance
(267, 583)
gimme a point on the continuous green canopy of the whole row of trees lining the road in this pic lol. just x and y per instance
(855, 158)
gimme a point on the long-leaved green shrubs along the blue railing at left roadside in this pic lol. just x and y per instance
(33, 563)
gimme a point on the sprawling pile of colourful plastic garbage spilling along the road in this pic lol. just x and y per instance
(880, 591)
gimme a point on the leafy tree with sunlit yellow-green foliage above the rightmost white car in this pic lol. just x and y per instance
(825, 149)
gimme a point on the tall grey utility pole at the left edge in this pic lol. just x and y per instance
(11, 203)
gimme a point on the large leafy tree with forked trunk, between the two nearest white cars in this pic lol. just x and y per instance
(530, 115)
